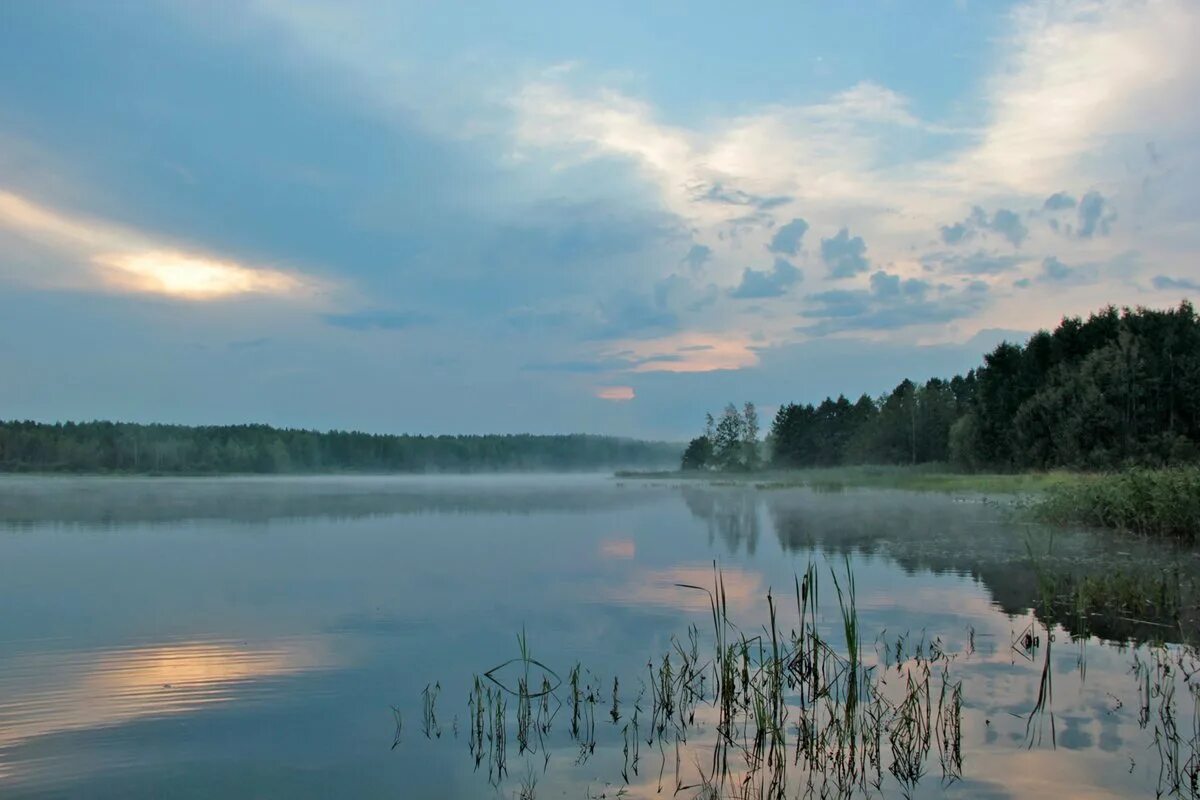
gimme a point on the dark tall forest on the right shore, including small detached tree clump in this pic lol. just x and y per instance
(1120, 389)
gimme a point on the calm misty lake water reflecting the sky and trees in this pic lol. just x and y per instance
(244, 637)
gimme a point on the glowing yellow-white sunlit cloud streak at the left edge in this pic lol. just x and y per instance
(105, 257)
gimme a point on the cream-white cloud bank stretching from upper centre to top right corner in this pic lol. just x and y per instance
(1076, 89)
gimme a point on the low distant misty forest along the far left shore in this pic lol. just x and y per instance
(172, 449)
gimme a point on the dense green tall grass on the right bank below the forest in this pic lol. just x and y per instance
(1153, 502)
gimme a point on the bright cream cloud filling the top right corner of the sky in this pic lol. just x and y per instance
(1076, 80)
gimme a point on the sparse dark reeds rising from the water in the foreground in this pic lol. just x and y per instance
(790, 711)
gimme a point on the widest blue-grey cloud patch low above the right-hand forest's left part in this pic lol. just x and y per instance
(891, 303)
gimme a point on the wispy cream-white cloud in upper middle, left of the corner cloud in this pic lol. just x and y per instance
(711, 177)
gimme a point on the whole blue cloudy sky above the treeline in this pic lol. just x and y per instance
(563, 218)
